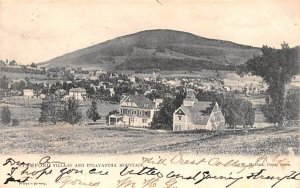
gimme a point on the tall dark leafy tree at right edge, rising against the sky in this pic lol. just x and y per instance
(277, 67)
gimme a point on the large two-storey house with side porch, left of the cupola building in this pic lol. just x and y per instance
(135, 110)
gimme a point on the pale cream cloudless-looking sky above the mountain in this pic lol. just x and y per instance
(35, 31)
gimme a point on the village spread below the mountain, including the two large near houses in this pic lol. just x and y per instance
(133, 99)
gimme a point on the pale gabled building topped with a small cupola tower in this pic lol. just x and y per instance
(195, 115)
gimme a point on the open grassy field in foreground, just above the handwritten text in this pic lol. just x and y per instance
(66, 139)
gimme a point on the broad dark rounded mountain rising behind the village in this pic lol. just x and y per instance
(158, 49)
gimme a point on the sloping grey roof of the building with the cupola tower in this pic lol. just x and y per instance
(195, 112)
